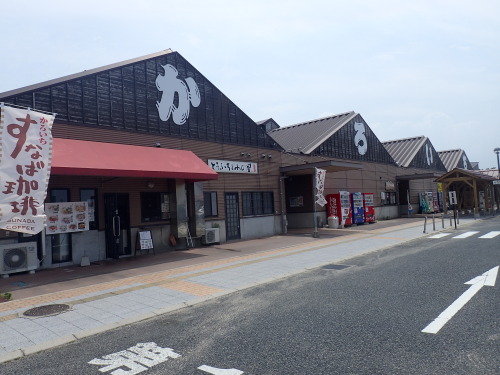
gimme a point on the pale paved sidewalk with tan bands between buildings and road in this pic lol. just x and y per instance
(57, 306)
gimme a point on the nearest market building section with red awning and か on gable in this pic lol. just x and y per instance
(159, 155)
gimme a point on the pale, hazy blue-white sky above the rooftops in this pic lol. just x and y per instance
(410, 68)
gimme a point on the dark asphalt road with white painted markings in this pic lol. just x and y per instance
(365, 319)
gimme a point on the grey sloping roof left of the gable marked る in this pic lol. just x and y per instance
(307, 136)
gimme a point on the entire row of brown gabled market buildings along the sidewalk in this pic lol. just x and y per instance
(159, 159)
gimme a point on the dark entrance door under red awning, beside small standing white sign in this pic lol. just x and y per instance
(117, 219)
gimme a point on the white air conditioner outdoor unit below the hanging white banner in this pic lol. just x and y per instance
(18, 257)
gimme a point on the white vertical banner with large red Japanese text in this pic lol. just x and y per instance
(25, 160)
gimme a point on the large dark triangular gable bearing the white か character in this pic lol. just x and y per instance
(159, 93)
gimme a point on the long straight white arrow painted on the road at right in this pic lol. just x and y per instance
(486, 279)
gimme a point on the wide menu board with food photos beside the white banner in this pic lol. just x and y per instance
(67, 217)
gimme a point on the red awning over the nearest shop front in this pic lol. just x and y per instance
(84, 158)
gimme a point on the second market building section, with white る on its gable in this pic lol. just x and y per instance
(353, 157)
